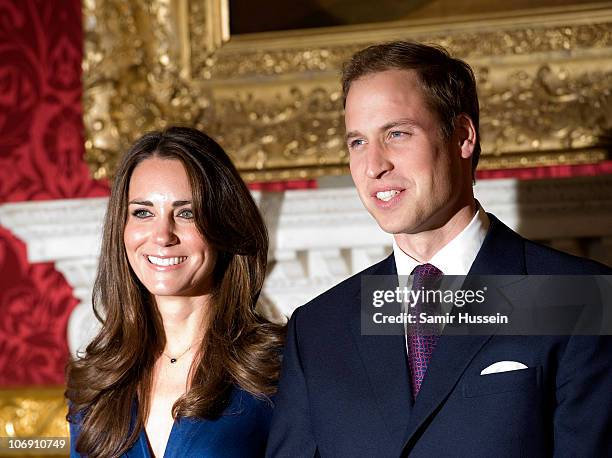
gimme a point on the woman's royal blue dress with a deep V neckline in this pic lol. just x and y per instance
(241, 431)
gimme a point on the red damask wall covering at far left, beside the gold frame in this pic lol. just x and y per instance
(41, 157)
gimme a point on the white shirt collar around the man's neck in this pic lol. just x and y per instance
(457, 256)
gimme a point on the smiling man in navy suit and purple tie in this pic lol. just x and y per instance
(413, 138)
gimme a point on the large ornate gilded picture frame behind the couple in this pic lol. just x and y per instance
(273, 100)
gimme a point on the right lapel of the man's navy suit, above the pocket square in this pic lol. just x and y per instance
(501, 253)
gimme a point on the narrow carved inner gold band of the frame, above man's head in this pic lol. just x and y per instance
(469, 45)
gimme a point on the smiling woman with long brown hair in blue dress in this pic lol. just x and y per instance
(183, 365)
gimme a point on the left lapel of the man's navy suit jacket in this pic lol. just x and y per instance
(385, 361)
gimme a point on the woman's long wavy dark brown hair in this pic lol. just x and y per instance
(240, 347)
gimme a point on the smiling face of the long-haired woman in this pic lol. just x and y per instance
(164, 247)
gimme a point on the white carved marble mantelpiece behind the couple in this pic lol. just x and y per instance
(318, 237)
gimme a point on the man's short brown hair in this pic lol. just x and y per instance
(448, 83)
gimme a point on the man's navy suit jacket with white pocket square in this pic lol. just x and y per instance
(343, 394)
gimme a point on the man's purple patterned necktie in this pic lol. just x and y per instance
(423, 338)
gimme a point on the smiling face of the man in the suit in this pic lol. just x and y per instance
(408, 176)
